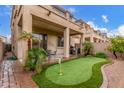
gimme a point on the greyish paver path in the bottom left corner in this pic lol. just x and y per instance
(7, 78)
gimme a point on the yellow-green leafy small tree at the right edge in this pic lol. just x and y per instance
(117, 46)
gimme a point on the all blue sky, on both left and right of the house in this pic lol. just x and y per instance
(107, 18)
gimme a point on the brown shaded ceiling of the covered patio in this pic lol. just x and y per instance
(46, 27)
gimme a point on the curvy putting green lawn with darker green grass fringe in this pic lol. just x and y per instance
(81, 72)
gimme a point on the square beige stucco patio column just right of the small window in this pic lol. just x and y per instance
(66, 42)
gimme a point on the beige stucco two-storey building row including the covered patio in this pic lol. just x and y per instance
(56, 27)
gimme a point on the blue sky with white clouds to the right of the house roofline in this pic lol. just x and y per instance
(107, 18)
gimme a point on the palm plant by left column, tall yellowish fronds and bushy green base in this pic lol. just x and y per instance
(35, 56)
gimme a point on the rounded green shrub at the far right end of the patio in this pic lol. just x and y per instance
(87, 48)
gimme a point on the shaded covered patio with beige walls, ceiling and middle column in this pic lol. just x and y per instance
(55, 38)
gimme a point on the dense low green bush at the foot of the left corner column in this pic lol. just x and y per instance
(35, 58)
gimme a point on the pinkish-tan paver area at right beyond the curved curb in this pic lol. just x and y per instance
(115, 74)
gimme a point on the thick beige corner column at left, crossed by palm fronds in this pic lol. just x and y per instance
(27, 27)
